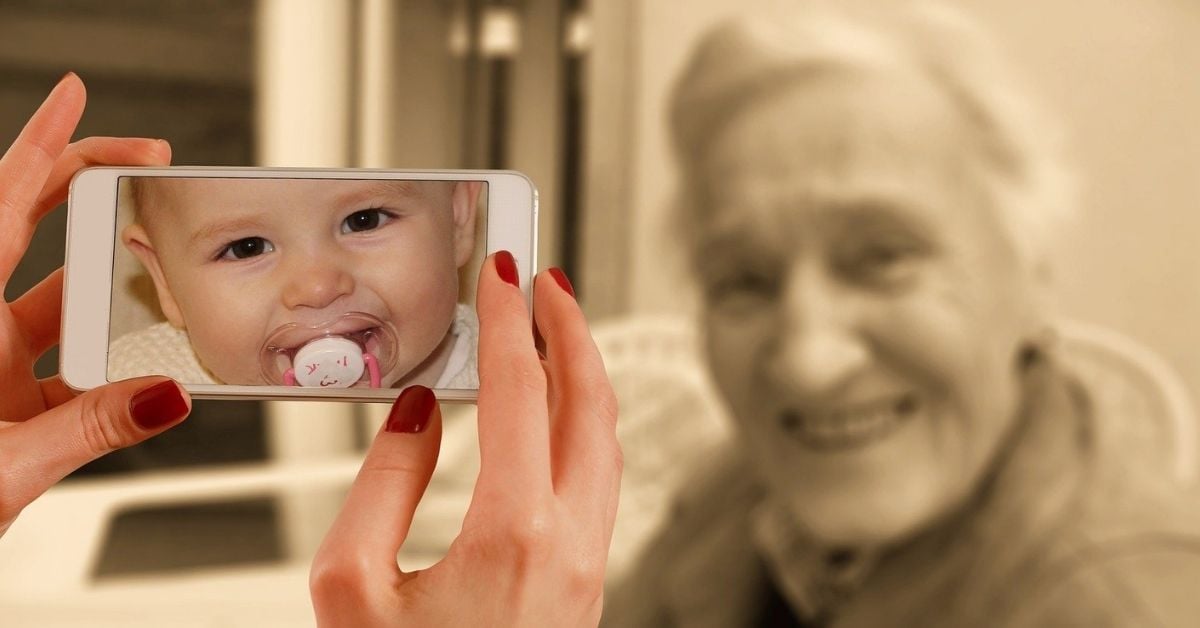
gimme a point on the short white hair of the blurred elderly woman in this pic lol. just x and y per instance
(749, 58)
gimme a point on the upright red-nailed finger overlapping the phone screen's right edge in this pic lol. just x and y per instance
(514, 432)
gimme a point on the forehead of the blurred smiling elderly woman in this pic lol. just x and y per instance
(843, 141)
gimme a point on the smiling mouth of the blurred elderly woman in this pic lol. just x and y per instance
(849, 428)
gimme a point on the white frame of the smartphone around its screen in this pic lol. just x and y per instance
(92, 241)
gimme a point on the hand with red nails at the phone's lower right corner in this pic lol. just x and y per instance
(536, 540)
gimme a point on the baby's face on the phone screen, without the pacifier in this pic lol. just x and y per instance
(233, 260)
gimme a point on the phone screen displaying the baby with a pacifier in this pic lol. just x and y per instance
(289, 282)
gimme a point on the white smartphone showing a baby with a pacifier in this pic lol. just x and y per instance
(286, 283)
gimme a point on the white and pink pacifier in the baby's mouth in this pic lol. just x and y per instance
(350, 350)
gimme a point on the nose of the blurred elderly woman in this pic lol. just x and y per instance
(819, 345)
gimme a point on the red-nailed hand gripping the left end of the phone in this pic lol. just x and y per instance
(46, 432)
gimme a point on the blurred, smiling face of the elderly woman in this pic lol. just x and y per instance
(863, 306)
